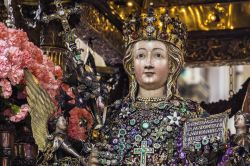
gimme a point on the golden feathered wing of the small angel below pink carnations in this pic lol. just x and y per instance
(41, 108)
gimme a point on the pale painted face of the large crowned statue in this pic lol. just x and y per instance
(150, 64)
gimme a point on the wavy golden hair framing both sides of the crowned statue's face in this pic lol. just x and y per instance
(175, 60)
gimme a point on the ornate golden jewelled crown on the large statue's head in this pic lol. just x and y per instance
(152, 27)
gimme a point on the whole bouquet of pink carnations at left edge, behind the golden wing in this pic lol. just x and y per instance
(17, 54)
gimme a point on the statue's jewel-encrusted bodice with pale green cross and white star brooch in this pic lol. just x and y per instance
(149, 133)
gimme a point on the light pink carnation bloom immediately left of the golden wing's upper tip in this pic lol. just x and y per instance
(15, 75)
